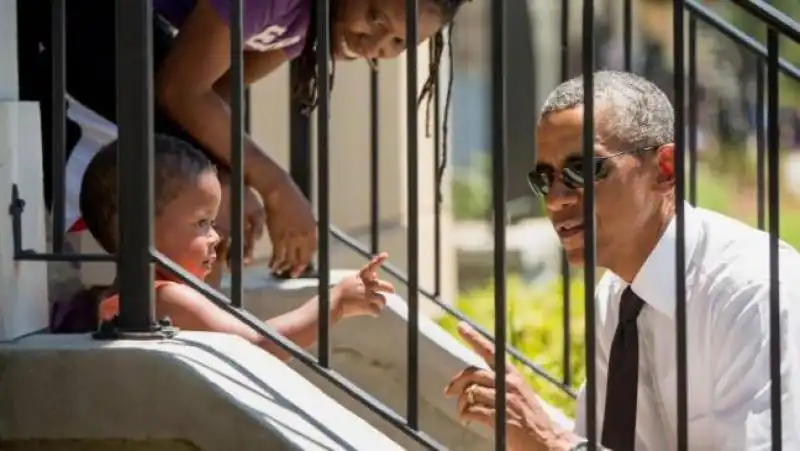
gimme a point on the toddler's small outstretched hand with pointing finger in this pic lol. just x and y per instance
(360, 294)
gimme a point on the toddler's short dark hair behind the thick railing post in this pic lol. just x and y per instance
(175, 163)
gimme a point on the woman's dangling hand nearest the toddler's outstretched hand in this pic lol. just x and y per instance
(292, 228)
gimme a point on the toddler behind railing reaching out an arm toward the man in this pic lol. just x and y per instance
(187, 199)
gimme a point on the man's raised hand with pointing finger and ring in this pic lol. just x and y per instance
(528, 427)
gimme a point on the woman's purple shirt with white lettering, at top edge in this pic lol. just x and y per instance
(267, 24)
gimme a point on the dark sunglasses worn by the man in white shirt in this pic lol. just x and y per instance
(543, 176)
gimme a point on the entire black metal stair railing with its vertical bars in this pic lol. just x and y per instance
(135, 119)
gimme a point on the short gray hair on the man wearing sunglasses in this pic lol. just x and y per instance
(630, 110)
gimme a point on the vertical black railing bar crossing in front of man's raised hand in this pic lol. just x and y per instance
(499, 161)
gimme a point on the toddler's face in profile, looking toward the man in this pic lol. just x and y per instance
(184, 230)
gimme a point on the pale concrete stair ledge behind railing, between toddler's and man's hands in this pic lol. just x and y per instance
(372, 353)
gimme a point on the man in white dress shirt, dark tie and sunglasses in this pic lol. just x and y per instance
(727, 293)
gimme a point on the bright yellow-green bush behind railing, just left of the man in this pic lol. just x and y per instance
(535, 325)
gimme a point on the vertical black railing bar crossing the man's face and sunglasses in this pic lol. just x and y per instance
(587, 46)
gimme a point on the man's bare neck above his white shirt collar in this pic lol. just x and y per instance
(638, 248)
